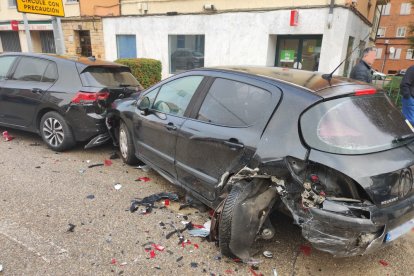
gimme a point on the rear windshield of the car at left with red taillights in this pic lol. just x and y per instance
(107, 77)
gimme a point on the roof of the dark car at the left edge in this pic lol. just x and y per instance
(87, 61)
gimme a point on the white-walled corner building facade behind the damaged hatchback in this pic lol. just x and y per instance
(309, 34)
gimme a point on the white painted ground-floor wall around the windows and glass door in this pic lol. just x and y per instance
(240, 38)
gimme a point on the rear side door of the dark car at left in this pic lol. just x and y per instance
(23, 92)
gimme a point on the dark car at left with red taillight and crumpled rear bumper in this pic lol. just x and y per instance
(62, 99)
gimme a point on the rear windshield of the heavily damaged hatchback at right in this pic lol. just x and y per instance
(355, 125)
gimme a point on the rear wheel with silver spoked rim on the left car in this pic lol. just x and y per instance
(55, 132)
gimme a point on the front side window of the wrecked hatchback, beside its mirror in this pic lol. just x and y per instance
(175, 95)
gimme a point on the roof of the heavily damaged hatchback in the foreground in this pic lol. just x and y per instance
(309, 80)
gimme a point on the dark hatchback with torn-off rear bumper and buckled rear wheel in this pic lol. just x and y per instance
(248, 141)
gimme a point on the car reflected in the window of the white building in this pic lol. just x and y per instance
(185, 59)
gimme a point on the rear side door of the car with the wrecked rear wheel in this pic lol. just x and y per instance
(223, 135)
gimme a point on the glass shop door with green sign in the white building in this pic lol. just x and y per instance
(299, 52)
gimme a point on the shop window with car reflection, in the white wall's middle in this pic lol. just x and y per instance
(186, 52)
